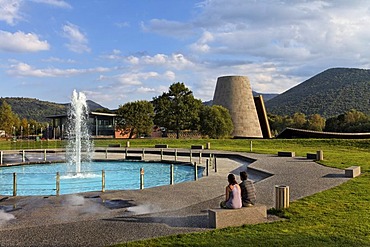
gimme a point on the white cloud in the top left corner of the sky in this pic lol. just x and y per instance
(9, 11)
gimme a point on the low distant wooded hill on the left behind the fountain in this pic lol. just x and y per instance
(38, 110)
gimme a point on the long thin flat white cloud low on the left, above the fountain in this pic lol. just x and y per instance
(26, 70)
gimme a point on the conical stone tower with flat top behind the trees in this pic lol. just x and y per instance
(235, 94)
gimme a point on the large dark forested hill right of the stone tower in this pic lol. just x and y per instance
(329, 93)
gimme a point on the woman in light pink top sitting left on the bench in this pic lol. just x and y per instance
(233, 194)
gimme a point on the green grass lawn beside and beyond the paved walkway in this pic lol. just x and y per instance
(336, 217)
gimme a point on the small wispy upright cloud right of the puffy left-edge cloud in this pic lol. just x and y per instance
(77, 40)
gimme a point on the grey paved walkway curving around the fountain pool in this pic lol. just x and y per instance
(101, 219)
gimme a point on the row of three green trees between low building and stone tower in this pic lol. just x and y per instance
(175, 110)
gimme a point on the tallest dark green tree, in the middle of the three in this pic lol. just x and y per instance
(177, 110)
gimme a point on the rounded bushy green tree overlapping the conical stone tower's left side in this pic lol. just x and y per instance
(215, 121)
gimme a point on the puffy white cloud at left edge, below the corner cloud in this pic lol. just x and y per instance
(21, 42)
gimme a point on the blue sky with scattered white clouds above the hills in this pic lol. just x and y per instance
(119, 51)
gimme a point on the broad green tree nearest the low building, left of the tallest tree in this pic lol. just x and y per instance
(135, 118)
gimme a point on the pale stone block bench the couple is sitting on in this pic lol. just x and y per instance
(220, 218)
